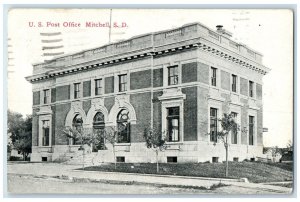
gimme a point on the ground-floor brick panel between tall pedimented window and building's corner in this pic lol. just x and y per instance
(190, 114)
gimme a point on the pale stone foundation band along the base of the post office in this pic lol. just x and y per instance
(138, 153)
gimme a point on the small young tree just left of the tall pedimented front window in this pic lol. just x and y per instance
(155, 140)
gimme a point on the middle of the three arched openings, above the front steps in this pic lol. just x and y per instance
(98, 128)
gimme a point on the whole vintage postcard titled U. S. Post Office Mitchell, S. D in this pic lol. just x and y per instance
(150, 101)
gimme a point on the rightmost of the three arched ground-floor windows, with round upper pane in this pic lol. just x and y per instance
(123, 126)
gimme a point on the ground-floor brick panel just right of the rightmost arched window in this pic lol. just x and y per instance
(142, 105)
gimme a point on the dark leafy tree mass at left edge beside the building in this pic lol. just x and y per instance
(21, 132)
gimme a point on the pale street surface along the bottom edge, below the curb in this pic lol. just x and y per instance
(29, 184)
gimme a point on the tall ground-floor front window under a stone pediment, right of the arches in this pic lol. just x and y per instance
(173, 124)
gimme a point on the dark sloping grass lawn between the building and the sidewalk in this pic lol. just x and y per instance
(254, 171)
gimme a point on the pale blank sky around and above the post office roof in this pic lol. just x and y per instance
(269, 32)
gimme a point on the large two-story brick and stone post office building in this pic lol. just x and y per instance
(178, 80)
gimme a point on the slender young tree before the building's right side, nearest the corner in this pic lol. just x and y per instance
(228, 124)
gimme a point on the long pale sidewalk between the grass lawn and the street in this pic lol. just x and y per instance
(53, 169)
